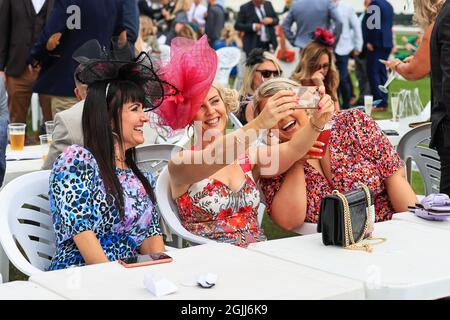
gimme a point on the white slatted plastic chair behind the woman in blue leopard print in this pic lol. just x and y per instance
(25, 221)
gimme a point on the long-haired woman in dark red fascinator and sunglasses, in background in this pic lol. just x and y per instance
(317, 67)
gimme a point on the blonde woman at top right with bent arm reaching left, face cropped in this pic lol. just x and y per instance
(418, 65)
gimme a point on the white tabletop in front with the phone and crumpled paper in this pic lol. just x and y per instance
(242, 274)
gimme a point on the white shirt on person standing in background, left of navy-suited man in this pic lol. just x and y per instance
(351, 37)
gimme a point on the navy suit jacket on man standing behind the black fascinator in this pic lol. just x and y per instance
(100, 19)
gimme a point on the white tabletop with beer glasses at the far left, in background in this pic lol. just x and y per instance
(17, 168)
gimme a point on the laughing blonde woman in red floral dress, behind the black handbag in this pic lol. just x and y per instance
(357, 151)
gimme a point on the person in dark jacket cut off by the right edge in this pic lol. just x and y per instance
(440, 93)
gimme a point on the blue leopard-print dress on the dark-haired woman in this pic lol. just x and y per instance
(79, 202)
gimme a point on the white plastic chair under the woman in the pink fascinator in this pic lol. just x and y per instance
(169, 211)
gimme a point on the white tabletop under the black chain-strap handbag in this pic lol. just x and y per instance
(412, 264)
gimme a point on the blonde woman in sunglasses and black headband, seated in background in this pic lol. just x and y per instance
(260, 66)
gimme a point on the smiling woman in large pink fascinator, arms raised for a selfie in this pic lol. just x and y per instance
(214, 182)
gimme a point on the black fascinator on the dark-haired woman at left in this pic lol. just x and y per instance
(118, 64)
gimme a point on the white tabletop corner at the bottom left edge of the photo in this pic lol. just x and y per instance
(25, 290)
